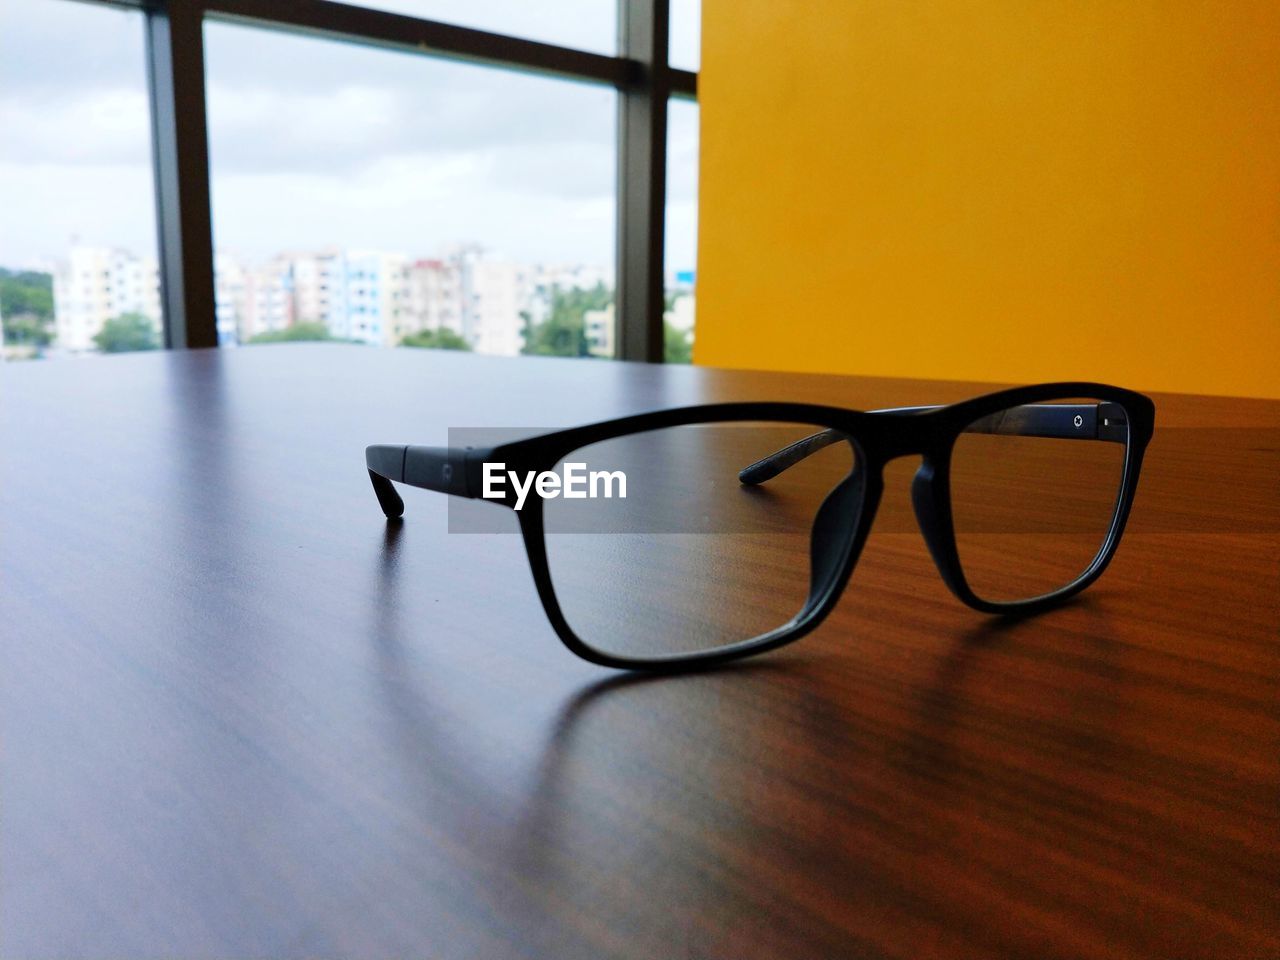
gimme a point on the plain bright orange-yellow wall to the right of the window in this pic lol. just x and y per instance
(994, 190)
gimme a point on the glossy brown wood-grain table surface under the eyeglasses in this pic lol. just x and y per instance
(245, 717)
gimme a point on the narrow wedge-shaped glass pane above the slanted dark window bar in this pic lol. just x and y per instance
(587, 25)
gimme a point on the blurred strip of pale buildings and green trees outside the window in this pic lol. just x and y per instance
(108, 300)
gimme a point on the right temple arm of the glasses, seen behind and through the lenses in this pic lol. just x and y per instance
(1071, 422)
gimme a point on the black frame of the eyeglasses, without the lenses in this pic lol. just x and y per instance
(843, 523)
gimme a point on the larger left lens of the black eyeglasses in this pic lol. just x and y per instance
(675, 556)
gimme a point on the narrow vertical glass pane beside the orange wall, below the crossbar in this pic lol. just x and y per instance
(682, 227)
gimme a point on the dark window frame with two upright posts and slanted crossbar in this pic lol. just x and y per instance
(641, 72)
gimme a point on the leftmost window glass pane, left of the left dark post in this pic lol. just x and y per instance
(79, 249)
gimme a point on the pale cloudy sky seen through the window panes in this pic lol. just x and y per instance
(318, 144)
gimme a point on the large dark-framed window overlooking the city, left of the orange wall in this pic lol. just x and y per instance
(401, 172)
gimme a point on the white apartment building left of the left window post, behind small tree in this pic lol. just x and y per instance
(97, 285)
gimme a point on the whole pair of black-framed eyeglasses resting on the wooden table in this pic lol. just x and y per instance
(691, 537)
